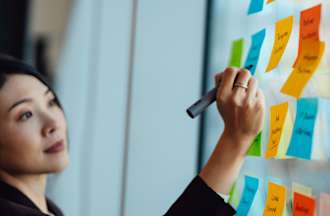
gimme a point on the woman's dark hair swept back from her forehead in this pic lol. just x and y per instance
(10, 65)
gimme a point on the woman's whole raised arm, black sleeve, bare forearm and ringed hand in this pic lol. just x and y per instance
(241, 106)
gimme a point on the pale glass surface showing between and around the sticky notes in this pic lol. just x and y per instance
(230, 21)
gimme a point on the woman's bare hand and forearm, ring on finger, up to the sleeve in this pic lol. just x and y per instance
(241, 104)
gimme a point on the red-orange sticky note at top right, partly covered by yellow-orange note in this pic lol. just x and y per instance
(309, 26)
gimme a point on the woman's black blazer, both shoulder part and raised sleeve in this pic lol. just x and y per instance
(197, 200)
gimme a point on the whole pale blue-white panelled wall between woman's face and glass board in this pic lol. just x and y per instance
(128, 71)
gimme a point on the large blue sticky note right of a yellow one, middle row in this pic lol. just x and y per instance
(302, 135)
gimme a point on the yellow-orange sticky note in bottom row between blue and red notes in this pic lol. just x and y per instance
(275, 201)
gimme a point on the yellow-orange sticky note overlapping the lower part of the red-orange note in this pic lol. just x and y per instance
(311, 55)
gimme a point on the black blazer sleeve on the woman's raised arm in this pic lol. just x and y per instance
(199, 199)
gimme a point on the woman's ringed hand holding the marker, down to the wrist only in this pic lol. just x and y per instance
(242, 109)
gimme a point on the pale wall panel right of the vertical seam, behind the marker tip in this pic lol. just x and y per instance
(162, 147)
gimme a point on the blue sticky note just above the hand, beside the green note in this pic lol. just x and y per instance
(254, 52)
